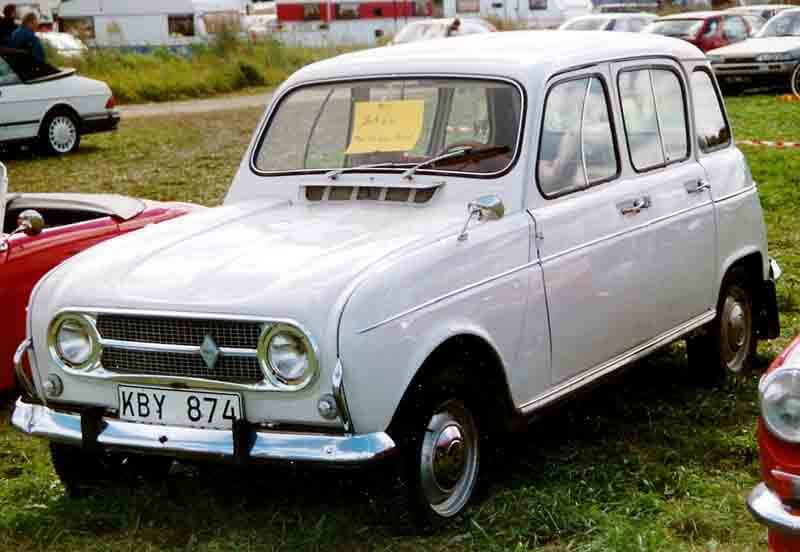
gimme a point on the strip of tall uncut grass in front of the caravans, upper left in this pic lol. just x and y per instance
(226, 66)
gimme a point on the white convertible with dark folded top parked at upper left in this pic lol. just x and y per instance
(48, 106)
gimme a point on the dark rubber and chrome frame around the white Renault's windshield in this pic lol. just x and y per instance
(284, 94)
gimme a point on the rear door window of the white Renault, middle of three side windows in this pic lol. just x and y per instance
(654, 111)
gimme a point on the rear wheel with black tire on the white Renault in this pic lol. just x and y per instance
(728, 345)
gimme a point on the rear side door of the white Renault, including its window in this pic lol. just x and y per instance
(679, 255)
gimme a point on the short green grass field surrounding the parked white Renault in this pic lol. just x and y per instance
(645, 462)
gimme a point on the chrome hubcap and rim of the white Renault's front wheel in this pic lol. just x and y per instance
(449, 459)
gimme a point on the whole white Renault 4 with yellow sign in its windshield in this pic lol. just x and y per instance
(421, 246)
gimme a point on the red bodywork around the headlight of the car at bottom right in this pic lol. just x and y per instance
(780, 456)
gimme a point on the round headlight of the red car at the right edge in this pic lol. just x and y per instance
(780, 403)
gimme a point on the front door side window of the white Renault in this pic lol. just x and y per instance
(577, 146)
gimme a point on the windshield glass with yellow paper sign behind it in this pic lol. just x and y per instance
(401, 122)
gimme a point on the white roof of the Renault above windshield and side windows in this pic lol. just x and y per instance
(523, 55)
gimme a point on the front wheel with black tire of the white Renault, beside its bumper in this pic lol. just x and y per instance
(441, 443)
